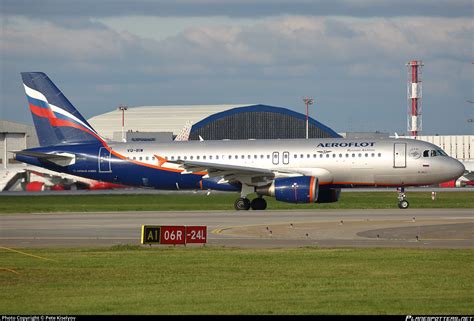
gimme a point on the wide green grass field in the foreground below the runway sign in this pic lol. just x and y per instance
(139, 280)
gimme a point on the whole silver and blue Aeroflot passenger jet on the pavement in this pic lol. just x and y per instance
(291, 170)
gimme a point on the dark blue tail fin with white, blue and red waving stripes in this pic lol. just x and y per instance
(56, 120)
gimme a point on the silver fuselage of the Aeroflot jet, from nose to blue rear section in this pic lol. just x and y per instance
(400, 162)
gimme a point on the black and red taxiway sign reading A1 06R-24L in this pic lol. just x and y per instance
(166, 234)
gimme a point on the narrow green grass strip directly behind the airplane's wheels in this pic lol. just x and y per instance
(185, 202)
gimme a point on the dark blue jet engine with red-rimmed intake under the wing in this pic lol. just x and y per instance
(300, 189)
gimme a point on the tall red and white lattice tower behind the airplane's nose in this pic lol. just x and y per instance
(414, 125)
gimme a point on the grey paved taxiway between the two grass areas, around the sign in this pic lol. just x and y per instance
(420, 228)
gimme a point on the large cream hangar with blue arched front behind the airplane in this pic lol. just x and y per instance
(211, 122)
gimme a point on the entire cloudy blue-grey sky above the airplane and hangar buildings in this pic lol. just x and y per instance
(349, 55)
